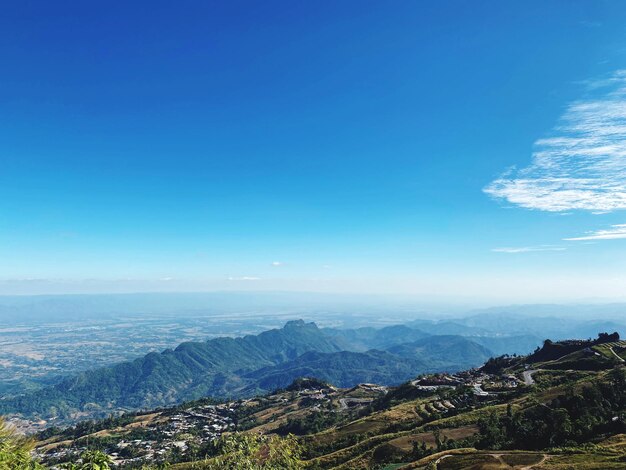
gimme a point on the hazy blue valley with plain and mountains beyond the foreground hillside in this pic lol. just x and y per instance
(241, 358)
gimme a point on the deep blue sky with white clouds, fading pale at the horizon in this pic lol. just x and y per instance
(430, 148)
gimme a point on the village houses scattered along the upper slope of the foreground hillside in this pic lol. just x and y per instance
(181, 433)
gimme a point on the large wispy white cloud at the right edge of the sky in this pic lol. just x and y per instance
(582, 164)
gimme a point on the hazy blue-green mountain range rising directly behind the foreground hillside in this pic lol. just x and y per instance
(257, 364)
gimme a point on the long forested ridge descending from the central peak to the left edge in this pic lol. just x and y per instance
(190, 371)
